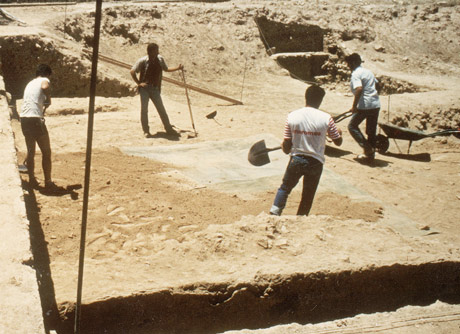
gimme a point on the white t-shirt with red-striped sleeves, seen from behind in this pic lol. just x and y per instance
(307, 128)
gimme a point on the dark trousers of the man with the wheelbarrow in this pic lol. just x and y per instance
(371, 116)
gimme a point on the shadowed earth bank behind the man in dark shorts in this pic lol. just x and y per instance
(20, 56)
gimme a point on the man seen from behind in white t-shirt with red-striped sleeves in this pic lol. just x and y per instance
(305, 140)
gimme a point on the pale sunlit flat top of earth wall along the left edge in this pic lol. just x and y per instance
(20, 307)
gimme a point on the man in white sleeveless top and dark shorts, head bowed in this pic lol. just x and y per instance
(36, 99)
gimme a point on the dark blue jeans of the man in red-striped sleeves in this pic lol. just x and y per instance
(311, 170)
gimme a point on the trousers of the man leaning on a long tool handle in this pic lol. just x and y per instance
(152, 93)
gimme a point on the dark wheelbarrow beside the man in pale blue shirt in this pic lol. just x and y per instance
(397, 132)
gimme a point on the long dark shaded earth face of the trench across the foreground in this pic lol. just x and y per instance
(271, 300)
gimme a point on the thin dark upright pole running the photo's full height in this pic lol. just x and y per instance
(89, 142)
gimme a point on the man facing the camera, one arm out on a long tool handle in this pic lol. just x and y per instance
(150, 69)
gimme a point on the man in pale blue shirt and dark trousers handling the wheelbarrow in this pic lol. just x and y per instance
(366, 106)
